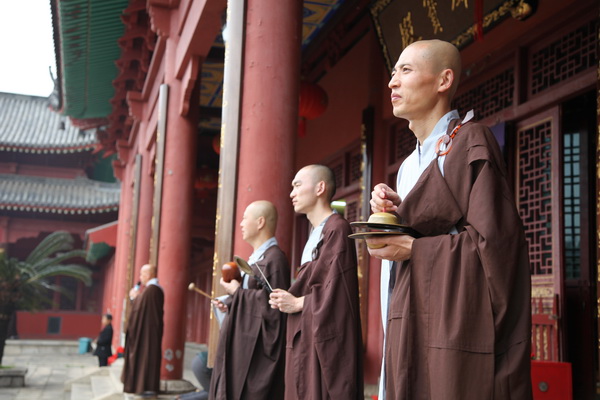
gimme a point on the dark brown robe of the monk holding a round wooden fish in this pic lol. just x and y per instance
(250, 356)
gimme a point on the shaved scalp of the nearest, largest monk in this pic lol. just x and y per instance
(440, 55)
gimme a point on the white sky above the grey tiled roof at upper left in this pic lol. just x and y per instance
(26, 47)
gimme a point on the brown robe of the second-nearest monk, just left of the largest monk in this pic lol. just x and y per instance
(324, 346)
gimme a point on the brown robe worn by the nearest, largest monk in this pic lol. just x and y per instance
(459, 321)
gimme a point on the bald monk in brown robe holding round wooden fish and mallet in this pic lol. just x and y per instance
(250, 358)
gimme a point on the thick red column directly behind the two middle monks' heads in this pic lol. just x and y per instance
(269, 112)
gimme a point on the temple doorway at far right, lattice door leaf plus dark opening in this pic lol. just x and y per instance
(557, 198)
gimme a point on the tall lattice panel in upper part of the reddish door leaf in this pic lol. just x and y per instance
(535, 193)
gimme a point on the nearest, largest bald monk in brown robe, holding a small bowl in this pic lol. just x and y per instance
(459, 318)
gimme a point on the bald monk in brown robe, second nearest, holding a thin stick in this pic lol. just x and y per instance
(324, 345)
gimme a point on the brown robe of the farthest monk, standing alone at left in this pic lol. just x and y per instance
(141, 371)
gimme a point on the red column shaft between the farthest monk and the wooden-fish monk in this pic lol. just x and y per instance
(176, 216)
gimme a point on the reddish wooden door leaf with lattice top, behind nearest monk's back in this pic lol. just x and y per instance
(538, 199)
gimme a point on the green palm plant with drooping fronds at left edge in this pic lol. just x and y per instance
(24, 285)
